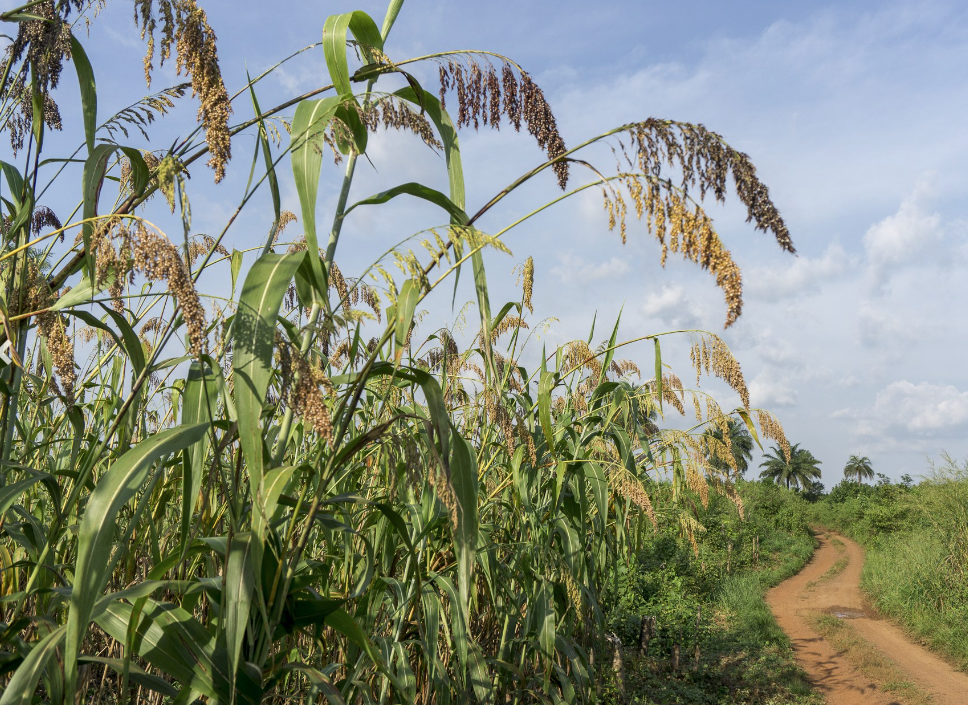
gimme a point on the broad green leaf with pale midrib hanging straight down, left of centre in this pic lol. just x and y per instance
(253, 335)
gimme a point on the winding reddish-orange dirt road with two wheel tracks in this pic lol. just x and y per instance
(815, 590)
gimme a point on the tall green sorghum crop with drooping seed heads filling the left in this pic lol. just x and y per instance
(294, 493)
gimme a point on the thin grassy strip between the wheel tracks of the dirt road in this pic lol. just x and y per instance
(867, 659)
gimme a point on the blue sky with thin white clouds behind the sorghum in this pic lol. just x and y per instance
(853, 114)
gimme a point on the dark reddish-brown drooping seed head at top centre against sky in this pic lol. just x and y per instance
(479, 100)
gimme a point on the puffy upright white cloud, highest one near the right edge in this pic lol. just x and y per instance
(898, 239)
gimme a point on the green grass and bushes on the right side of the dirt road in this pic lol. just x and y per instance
(916, 538)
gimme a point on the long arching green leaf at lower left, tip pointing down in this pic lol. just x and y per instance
(97, 527)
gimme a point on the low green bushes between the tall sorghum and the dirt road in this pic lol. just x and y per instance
(710, 595)
